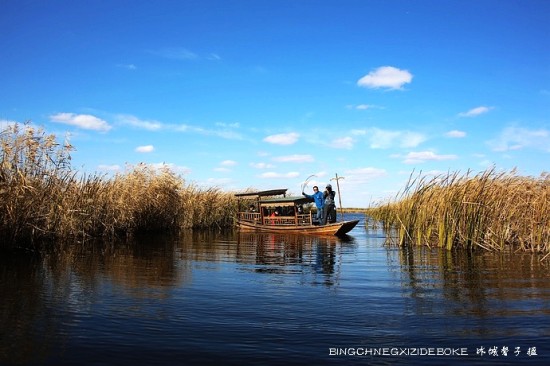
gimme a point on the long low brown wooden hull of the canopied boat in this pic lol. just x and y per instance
(337, 228)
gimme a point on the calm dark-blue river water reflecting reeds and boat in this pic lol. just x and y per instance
(273, 299)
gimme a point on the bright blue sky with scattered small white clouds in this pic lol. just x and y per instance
(262, 94)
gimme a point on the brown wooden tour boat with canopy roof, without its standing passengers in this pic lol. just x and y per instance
(272, 211)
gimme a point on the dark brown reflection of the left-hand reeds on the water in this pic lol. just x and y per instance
(44, 298)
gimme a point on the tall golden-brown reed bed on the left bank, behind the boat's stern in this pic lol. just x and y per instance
(44, 199)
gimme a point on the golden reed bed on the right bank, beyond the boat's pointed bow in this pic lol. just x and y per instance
(490, 210)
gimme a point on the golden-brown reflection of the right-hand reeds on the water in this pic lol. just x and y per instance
(492, 287)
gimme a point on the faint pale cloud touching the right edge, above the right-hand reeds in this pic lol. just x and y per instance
(516, 138)
